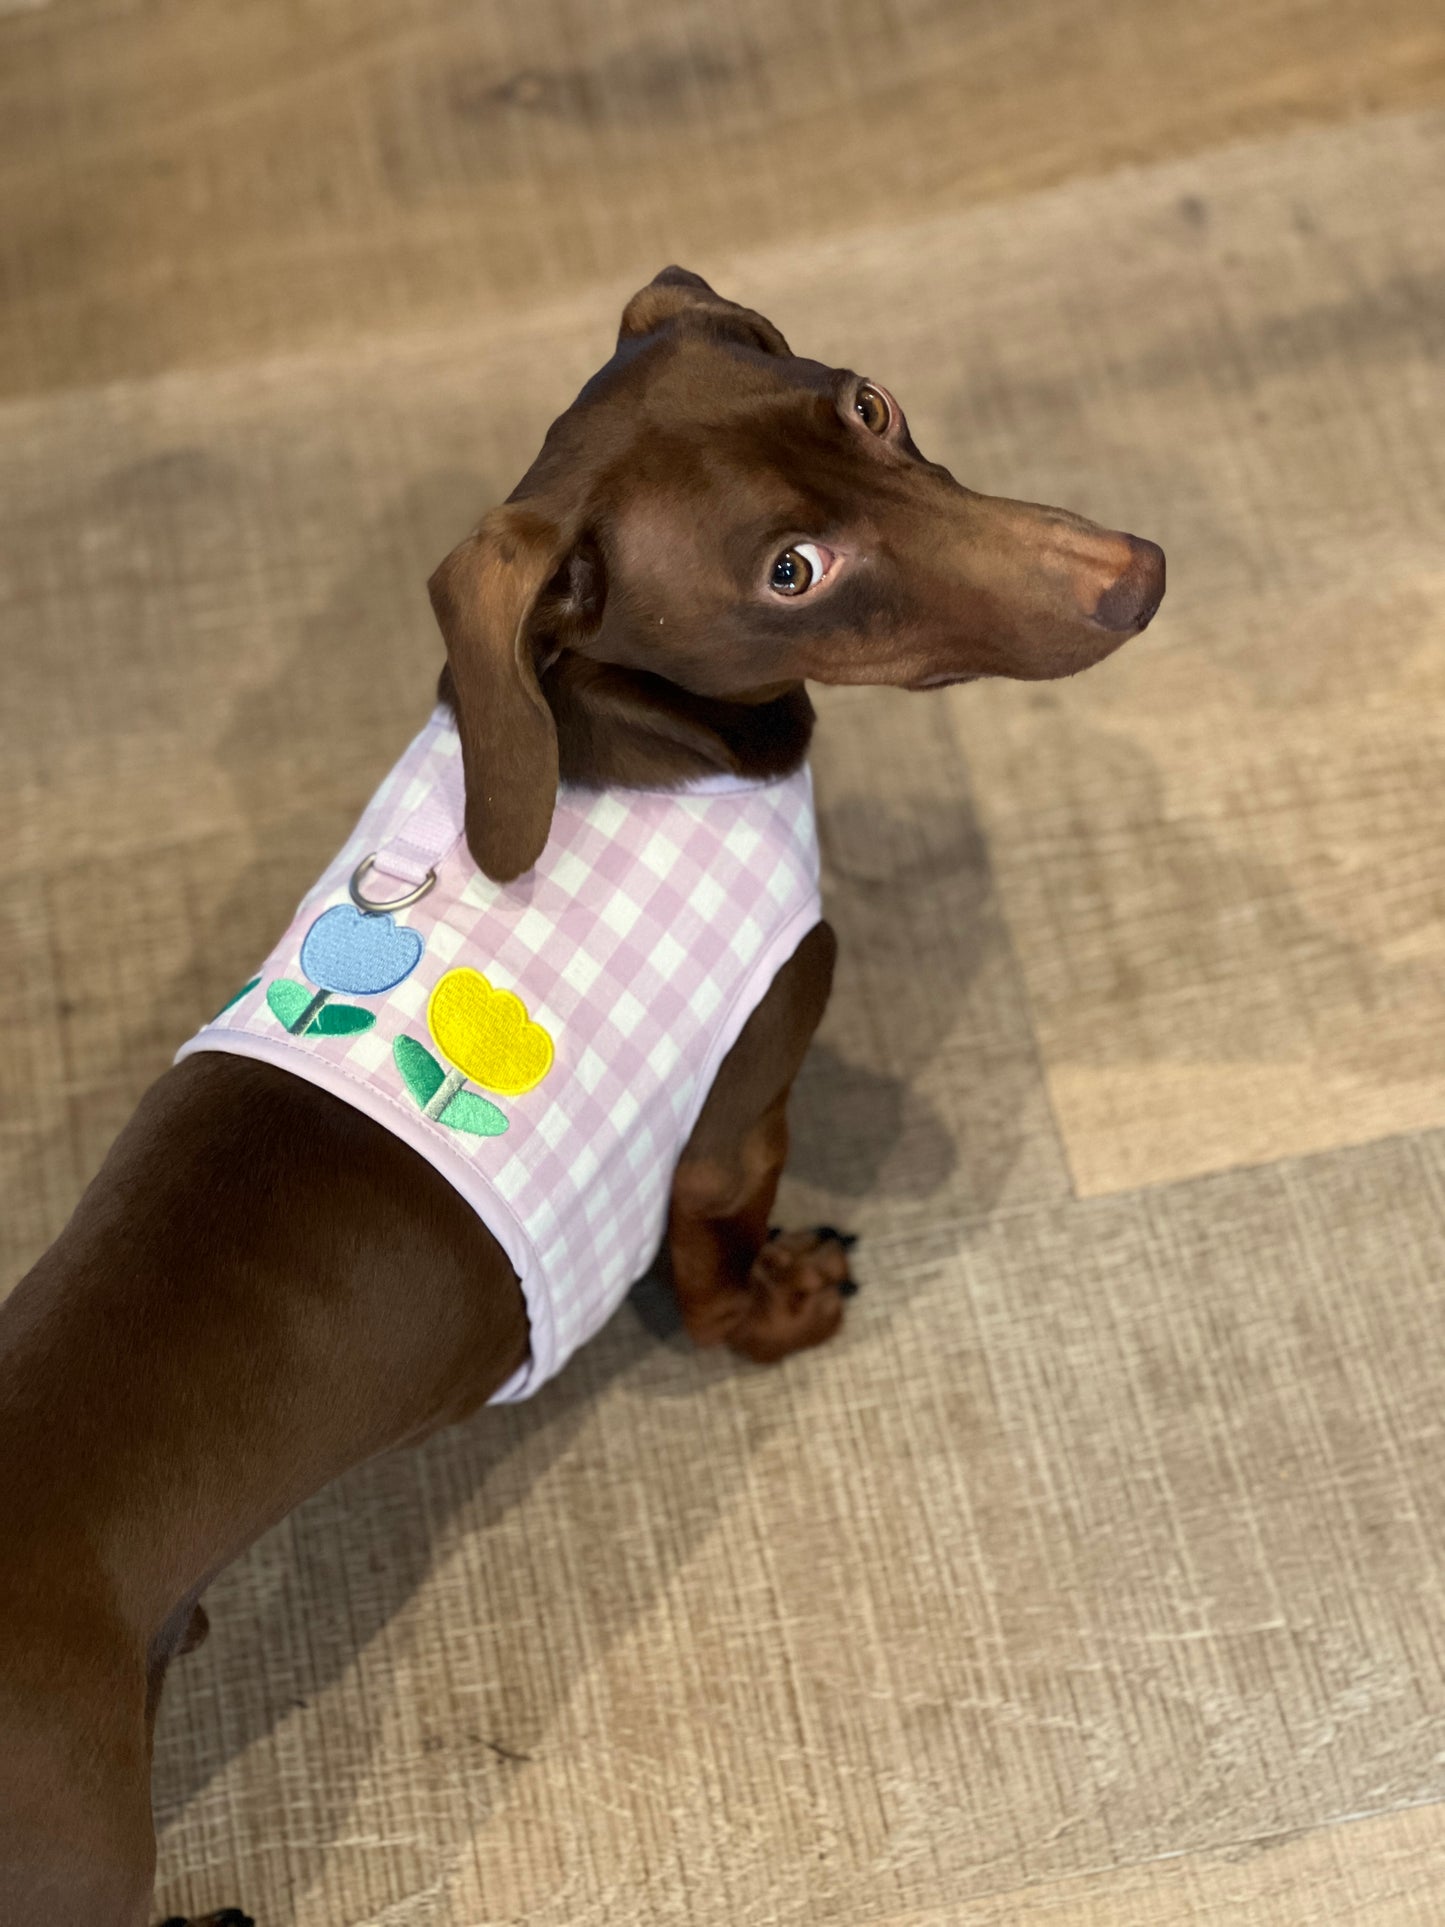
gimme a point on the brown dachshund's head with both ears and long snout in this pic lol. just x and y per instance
(727, 519)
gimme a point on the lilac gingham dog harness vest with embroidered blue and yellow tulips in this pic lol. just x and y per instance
(546, 1043)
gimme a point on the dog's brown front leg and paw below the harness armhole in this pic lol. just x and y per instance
(764, 1294)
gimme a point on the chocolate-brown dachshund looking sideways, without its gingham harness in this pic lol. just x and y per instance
(712, 523)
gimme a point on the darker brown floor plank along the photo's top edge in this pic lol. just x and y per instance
(205, 182)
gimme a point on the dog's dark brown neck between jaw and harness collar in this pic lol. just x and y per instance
(633, 731)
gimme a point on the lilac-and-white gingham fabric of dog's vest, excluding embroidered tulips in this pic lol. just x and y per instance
(643, 941)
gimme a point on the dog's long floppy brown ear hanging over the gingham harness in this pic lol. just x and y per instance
(485, 598)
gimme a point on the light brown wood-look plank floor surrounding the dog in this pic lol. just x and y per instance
(1093, 1577)
